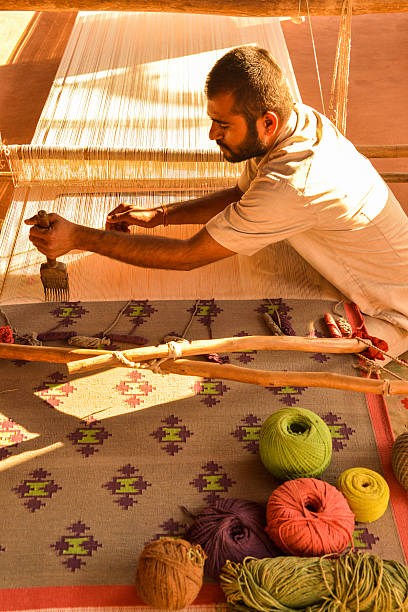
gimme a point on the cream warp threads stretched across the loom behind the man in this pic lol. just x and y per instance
(115, 96)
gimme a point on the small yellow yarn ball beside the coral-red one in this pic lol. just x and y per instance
(366, 491)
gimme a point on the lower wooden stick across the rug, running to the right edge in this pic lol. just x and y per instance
(263, 378)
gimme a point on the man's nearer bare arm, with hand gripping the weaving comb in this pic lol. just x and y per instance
(144, 251)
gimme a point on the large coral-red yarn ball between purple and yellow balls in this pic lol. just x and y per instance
(308, 517)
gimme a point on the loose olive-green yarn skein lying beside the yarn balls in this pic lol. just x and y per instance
(353, 582)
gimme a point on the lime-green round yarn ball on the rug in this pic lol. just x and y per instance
(295, 443)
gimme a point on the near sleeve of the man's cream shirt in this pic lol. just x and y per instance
(269, 211)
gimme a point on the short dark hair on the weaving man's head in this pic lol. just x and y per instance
(256, 81)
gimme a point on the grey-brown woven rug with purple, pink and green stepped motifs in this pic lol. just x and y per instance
(93, 468)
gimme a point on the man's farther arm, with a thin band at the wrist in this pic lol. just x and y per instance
(196, 211)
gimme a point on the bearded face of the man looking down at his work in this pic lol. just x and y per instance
(237, 139)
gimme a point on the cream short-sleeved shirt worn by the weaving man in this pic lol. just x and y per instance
(314, 189)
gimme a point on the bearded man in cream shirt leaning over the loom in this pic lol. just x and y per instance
(303, 182)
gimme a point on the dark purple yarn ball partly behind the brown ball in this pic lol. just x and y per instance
(231, 529)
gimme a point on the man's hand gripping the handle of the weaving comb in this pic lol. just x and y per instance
(56, 240)
